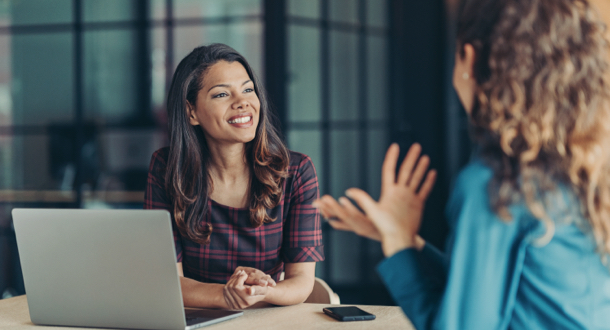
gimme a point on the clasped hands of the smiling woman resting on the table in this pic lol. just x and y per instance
(246, 287)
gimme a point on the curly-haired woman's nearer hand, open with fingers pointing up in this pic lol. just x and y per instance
(398, 214)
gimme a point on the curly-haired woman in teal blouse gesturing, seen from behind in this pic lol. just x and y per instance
(530, 214)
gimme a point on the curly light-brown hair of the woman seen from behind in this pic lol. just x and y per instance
(541, 115)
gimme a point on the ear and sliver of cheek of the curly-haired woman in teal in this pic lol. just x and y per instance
(463, 79)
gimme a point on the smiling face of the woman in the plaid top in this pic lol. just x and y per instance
(227, 107)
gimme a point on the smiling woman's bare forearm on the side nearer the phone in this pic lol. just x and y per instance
(291, 291)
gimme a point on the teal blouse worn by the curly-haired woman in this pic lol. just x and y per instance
(502, 275)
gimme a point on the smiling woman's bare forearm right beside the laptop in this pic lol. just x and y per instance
(198, 294)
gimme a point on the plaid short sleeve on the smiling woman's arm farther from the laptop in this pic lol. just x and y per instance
(302, 241)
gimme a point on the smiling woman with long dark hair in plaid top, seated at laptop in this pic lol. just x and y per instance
(240, 201)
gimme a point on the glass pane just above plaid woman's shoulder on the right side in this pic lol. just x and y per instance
(309, 143)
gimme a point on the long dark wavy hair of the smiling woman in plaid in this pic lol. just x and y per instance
(187, 178)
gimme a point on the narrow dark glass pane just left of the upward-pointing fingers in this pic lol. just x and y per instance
(377, 146)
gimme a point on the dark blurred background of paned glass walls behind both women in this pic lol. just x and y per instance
(83, 85)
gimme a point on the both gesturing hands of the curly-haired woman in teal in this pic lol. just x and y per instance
(394, 219)
